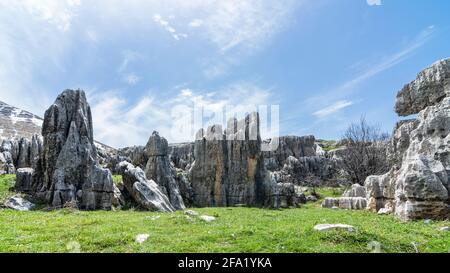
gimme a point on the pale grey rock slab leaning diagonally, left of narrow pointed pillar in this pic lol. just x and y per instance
(145, 193)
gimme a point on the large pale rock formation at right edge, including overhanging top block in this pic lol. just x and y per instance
(418, 188)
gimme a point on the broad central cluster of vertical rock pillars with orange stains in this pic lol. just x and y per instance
(229, 169)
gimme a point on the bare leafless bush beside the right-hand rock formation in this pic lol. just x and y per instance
(366, 151)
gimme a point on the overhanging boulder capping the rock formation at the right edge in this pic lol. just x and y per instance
(429, 88)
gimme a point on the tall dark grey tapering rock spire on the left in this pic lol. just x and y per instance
(68, 171)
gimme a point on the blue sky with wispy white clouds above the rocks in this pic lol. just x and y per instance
(324, 62)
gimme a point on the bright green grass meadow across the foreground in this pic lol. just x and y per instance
(235, 230)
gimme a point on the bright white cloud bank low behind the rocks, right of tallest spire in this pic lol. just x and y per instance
(120, 122)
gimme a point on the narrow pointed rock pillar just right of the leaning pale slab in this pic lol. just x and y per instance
(159, 169)
